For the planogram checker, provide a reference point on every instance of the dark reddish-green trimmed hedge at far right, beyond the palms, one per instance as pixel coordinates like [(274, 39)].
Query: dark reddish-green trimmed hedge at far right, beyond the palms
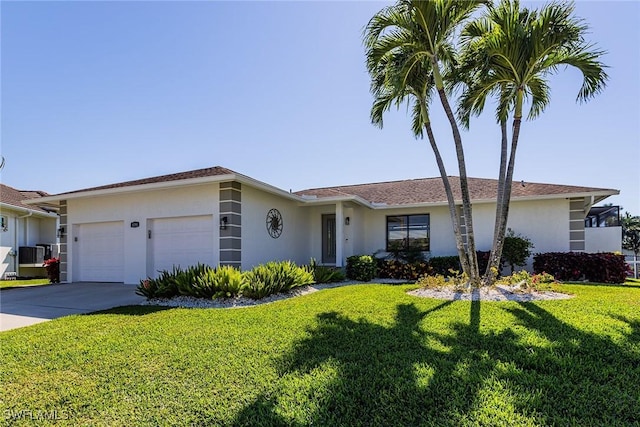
[(570, 266)]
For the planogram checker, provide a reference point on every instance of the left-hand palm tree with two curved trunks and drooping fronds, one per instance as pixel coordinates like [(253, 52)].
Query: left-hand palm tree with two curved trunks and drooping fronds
[(407, 46)]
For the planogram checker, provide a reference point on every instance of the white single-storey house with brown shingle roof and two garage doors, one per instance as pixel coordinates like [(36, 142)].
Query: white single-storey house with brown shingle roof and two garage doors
[(127, 231)]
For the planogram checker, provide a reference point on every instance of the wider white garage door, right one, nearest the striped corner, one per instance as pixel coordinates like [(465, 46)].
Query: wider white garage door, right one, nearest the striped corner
[(182, 241)]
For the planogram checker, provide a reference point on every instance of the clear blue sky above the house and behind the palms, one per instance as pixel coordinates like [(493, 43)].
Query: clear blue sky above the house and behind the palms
[(101, 92)]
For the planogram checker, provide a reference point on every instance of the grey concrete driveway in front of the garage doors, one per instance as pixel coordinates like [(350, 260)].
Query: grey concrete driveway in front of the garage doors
[(30, 305)]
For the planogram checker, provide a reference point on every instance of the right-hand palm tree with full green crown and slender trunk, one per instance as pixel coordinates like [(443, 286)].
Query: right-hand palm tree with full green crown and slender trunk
[(509, 53)]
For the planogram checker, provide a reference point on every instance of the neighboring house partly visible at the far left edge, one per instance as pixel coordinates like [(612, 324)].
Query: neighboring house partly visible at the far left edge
[(27, 233)]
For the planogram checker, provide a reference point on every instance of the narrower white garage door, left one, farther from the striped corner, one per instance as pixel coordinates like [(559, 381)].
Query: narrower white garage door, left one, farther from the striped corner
[(100, 252)]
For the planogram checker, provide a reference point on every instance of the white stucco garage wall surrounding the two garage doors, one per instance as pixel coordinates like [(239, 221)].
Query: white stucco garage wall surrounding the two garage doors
[(140, 207)]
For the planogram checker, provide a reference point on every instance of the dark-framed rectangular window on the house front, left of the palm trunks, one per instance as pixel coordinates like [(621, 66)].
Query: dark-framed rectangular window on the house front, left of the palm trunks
[(405, 231)]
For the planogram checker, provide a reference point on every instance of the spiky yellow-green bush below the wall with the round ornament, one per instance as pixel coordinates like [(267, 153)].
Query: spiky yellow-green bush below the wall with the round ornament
[(275, 277)]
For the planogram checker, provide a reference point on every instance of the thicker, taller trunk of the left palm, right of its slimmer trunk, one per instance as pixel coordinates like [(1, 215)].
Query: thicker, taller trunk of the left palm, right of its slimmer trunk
[(474, 275)]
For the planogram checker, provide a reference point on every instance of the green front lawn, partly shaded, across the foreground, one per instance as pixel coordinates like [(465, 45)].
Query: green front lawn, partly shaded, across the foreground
[(366, 355)]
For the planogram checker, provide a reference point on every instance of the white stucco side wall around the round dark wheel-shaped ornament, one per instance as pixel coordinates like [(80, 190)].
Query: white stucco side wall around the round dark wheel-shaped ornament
[(257, 245)]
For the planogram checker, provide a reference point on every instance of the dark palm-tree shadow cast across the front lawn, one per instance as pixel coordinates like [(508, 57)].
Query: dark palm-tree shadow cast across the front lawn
[(351, 372)]
